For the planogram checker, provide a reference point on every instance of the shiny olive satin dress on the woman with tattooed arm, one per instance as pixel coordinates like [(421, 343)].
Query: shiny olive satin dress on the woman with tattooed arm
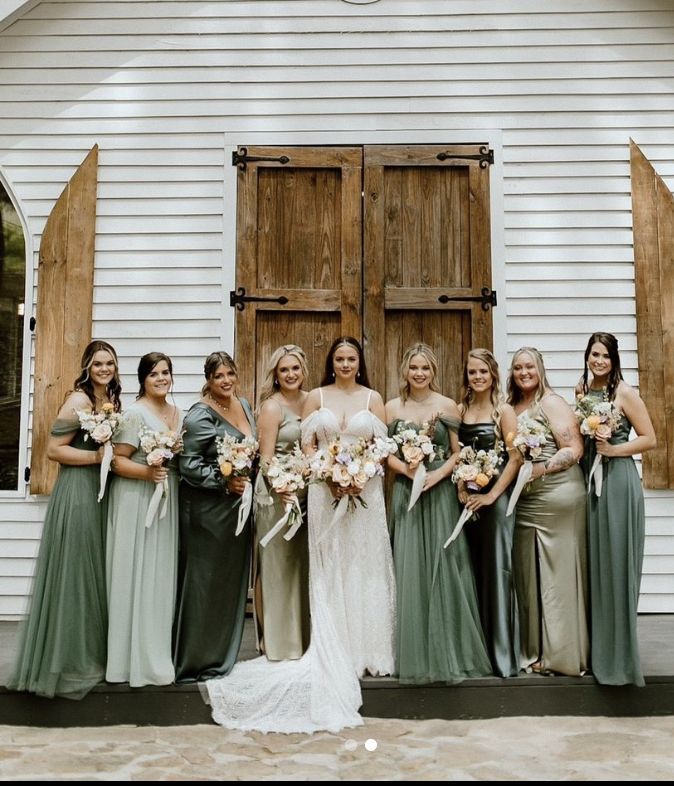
[(549, 564)]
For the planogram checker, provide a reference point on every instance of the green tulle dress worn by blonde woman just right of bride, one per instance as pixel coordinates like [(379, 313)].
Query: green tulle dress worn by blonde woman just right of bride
[(439, 636)]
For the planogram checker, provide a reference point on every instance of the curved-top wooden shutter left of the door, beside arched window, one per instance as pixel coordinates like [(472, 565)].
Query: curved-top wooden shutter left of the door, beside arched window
[(64, 308)]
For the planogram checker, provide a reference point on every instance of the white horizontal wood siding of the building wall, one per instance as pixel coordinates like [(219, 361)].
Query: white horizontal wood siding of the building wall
[(160, 86)]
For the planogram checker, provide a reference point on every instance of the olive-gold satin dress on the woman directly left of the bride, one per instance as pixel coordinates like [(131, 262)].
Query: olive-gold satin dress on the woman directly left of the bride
[(282, 566)]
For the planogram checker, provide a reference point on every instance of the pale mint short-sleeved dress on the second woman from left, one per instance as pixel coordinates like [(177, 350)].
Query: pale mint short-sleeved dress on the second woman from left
[(141, 567)]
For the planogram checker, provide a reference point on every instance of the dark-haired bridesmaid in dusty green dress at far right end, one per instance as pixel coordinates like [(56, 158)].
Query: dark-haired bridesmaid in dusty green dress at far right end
[(615, 520)]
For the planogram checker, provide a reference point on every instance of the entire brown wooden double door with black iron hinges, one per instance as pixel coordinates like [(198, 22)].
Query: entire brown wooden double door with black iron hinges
[(390, 244)]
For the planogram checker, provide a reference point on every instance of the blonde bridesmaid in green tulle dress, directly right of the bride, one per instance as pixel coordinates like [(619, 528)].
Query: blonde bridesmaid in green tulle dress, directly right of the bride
[(439, 635)]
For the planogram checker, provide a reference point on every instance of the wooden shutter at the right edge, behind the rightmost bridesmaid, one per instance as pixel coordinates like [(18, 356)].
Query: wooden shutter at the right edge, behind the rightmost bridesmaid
[(653, 227)]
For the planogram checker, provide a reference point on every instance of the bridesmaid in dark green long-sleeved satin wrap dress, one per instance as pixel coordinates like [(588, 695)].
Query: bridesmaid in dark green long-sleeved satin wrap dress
[(214, 562)]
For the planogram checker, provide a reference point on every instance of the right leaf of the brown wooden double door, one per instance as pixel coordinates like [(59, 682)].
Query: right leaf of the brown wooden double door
[(427, 238)]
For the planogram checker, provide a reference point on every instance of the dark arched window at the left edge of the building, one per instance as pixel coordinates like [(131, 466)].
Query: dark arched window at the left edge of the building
[(12, 289)]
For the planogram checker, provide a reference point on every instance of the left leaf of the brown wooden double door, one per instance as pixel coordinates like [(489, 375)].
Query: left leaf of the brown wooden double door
[(298, 237)]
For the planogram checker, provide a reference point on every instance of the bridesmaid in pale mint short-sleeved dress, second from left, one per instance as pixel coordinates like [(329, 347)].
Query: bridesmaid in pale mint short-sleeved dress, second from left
[(141, 561)]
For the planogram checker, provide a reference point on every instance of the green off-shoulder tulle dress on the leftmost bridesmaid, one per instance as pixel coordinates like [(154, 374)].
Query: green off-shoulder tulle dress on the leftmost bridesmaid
[(62, 646)]
